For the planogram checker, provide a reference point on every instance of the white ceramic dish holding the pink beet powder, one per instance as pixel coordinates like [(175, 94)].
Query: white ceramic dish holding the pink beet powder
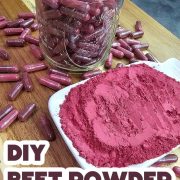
[(171, 67)]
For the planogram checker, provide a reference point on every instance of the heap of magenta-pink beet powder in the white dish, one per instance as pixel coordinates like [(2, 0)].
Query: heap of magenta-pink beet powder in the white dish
[(123, 117)]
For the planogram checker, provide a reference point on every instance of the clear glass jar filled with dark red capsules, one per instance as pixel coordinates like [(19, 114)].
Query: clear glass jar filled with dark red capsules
[(76, 35)]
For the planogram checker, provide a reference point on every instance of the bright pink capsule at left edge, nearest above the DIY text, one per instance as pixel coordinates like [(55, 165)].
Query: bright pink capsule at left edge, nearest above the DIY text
[(8, 120)]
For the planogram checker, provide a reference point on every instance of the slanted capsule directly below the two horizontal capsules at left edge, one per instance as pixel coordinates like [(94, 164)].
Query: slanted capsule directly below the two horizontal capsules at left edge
[(15, 91)]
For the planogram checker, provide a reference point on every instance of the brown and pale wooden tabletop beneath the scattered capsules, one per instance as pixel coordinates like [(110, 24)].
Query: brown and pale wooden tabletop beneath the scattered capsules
[(163, 45)]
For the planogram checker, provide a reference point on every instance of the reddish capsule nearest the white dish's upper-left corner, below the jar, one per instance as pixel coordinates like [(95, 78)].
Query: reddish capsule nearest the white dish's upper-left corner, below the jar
[(50, 83)]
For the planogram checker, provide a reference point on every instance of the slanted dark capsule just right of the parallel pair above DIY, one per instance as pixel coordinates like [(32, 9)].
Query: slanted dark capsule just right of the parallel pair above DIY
[(25, 113)]
